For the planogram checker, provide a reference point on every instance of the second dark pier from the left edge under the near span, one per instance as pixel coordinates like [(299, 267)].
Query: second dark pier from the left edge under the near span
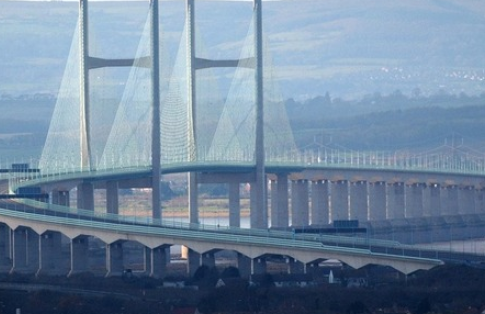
[(25, 251)]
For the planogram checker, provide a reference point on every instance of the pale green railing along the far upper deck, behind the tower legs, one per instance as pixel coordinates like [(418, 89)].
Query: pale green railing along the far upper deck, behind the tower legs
[(320, 157)]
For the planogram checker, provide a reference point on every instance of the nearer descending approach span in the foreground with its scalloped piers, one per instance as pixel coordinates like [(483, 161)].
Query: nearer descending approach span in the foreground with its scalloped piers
[(36, 234)]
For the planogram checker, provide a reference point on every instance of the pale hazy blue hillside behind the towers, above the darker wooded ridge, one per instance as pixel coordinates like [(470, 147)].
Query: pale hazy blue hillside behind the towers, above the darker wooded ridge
[(349, 48)]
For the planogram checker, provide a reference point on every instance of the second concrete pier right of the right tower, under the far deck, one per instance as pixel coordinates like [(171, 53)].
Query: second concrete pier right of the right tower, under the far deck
[(299, 203)]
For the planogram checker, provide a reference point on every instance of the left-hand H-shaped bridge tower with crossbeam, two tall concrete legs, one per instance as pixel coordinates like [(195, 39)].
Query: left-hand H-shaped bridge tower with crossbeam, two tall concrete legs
[(88, 62)]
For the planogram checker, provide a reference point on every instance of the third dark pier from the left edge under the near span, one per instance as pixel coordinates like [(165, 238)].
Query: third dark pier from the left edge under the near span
[(50, 250)]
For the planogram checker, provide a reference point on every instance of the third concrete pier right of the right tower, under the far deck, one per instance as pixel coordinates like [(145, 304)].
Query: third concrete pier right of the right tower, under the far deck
[(320, 212)]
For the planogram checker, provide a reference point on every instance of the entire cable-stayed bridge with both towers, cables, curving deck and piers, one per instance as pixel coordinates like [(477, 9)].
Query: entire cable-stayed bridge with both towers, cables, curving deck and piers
[(251, 144)]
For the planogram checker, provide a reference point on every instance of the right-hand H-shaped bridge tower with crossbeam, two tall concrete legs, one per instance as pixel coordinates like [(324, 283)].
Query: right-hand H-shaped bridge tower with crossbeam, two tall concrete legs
[(259, 216)]
